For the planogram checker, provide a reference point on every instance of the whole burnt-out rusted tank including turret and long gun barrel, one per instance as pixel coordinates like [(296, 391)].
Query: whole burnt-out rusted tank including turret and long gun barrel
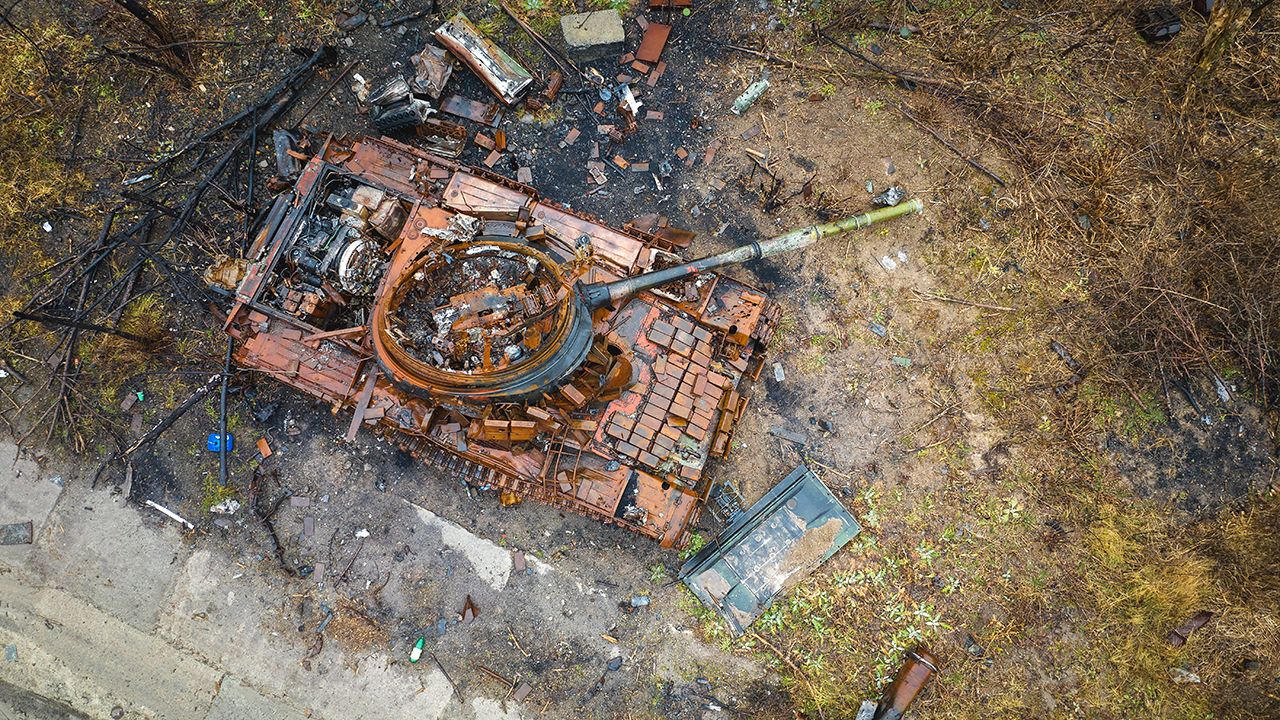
[(506, 339)]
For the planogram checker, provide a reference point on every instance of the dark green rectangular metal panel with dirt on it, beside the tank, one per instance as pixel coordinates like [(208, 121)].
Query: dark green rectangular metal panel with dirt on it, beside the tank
[(769, 549)]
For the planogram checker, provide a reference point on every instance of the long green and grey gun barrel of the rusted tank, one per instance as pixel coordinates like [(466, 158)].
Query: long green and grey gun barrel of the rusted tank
[(598, 295)]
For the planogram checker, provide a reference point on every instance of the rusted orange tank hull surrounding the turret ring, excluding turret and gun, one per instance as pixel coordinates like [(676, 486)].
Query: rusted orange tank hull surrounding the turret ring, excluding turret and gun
[(637, 461)]
